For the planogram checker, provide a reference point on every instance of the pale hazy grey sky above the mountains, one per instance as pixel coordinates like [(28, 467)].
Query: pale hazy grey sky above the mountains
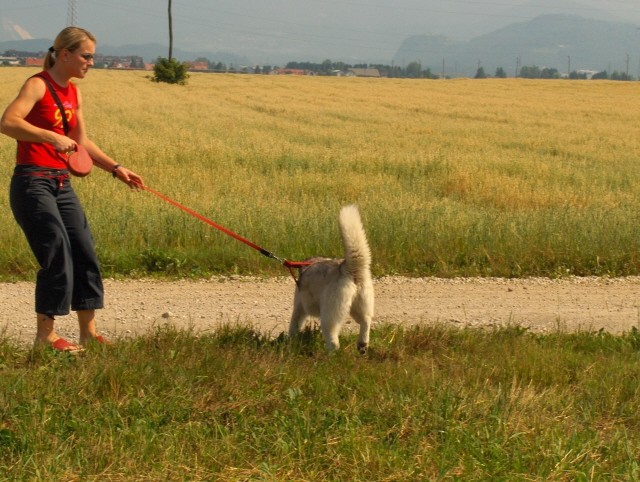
[(355, 28)]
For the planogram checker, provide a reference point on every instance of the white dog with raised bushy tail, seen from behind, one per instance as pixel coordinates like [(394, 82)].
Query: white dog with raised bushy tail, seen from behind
[(331, 289)]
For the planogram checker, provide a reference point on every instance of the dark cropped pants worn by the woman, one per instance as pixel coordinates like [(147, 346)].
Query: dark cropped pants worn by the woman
[(47, 209)]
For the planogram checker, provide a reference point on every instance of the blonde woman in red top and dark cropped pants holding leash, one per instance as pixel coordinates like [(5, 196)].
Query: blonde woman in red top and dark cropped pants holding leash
[(42, 199)]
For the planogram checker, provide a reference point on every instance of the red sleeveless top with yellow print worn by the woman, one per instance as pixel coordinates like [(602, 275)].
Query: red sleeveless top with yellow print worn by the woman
[(46, 115)]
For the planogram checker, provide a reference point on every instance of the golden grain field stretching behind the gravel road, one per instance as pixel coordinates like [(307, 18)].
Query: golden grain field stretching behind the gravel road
[(454, 178)]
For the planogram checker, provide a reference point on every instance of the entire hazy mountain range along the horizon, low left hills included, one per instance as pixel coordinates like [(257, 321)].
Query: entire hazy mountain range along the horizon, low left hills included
[(561, 41)]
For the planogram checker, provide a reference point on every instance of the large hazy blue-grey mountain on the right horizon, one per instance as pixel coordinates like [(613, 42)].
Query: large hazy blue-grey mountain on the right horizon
[(564, 42)]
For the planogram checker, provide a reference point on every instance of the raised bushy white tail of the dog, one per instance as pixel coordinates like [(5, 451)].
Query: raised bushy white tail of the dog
[(357, 254)]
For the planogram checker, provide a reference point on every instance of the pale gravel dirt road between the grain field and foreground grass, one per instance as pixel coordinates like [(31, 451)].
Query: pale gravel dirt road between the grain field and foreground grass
[(133, 307)]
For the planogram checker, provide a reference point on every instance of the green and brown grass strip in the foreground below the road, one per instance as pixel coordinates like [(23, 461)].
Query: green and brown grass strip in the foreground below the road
[(426, 403)]
